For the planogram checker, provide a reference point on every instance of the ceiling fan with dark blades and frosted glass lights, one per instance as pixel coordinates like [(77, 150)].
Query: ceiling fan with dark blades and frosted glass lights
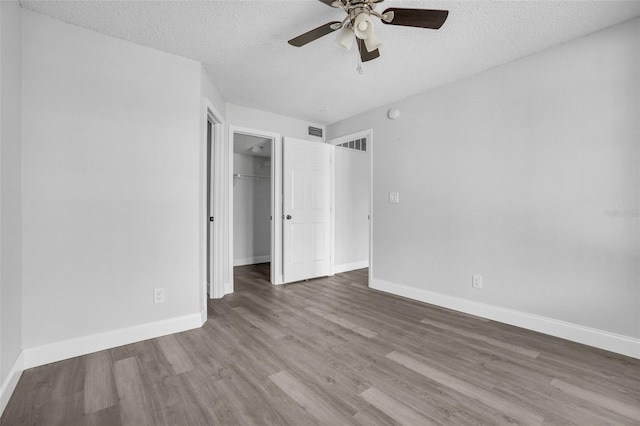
[(358, 26)]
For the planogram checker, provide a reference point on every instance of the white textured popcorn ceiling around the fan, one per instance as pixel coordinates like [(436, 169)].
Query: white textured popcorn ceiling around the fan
[(243, 45)]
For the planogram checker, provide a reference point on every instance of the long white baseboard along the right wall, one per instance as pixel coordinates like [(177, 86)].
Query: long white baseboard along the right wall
[(624, 345)]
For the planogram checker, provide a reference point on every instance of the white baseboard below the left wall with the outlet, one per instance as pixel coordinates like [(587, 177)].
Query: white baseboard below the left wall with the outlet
[(58, 351)]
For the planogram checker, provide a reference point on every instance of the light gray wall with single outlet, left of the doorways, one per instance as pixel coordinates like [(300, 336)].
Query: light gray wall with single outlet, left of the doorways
[(111, 195)]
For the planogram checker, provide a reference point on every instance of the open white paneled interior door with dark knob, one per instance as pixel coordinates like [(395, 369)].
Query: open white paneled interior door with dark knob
[(306, 209)]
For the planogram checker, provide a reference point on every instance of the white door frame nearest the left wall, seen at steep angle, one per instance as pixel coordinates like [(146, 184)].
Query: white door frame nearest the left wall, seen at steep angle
[(215, 261)]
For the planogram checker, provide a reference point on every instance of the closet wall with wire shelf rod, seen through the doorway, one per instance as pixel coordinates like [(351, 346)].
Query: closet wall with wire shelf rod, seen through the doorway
[(251, 210)]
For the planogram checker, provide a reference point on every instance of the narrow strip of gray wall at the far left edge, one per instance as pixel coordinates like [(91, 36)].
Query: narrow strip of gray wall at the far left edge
[(10, 189)]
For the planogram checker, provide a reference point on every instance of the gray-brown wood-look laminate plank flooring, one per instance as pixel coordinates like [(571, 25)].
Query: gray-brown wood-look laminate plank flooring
[(333, 352)]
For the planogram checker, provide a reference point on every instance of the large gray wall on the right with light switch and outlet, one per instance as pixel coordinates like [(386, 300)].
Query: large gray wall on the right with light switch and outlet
[(511, 174)]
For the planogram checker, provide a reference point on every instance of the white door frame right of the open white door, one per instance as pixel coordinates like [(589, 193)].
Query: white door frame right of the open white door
[(368, 134)]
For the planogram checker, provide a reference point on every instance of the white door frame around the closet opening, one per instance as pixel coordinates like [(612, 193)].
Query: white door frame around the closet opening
[(276, 200)]
